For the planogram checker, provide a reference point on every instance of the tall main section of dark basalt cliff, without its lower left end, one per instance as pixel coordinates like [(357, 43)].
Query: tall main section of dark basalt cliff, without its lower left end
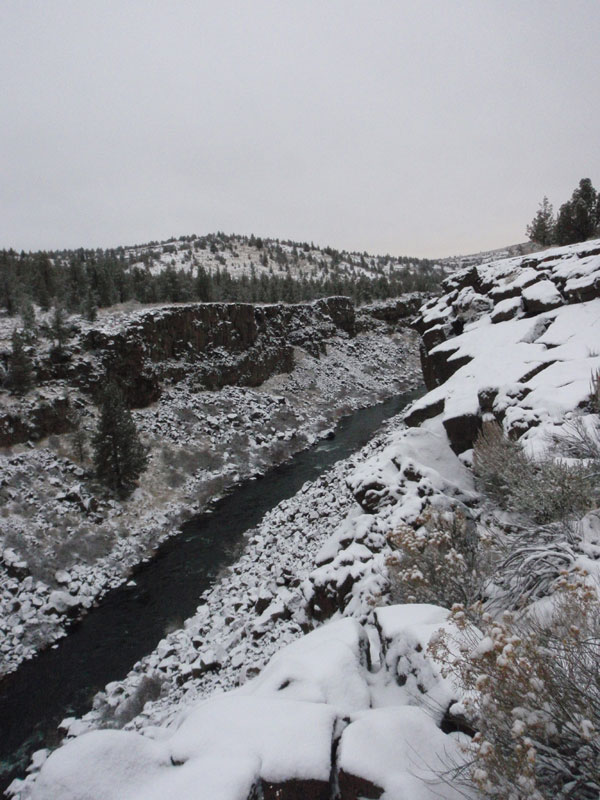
[(224, 343)]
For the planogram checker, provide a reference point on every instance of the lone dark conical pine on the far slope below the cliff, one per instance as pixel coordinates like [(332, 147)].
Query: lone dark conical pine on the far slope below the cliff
[(119, 455)]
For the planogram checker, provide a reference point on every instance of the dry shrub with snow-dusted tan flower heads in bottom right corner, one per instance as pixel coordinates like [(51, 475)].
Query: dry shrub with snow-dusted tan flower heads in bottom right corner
[(533, 694)]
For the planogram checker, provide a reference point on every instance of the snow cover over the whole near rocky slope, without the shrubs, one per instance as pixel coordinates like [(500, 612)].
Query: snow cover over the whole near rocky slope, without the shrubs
[(277, 693)]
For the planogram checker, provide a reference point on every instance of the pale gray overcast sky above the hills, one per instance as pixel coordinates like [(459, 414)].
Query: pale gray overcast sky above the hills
[(428, 128)]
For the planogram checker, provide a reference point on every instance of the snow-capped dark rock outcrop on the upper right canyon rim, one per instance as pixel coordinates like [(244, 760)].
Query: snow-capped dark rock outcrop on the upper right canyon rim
[(505, 307)]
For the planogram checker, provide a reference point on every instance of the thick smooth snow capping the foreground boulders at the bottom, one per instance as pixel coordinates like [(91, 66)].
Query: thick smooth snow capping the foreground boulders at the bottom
[(277, 728)]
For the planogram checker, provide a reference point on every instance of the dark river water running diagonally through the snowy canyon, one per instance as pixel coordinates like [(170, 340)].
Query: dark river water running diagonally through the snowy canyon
[(130, 621)]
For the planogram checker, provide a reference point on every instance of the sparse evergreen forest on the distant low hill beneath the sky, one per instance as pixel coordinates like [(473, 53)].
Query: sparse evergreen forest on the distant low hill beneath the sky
[(85, 280)]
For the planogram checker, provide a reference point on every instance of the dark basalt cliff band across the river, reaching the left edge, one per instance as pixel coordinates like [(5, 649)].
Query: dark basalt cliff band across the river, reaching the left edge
[(220, 343)]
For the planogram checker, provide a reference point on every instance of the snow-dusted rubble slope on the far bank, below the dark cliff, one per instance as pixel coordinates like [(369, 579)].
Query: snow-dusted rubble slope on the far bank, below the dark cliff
[(65, 546)]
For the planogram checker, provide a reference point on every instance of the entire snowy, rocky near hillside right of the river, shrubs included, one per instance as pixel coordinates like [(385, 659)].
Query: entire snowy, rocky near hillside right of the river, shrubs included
[(314, 667)]
